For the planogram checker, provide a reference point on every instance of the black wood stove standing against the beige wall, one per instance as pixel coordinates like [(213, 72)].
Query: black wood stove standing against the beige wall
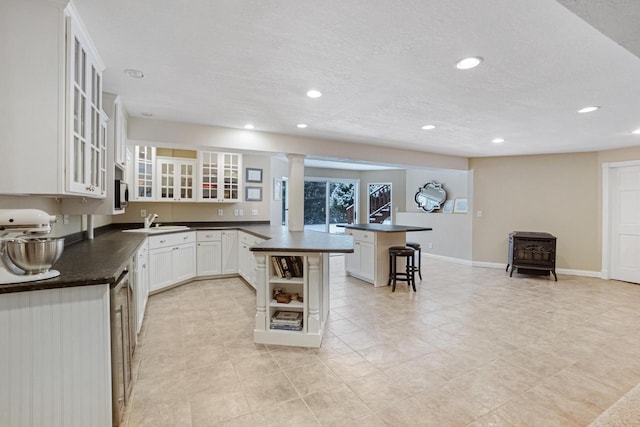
[(532, 253)]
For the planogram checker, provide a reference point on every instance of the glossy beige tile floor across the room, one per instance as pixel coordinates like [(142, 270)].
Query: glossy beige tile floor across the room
[(472, 347)]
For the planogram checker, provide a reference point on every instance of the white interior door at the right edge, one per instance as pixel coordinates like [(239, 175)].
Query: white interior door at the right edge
[(625, 224)]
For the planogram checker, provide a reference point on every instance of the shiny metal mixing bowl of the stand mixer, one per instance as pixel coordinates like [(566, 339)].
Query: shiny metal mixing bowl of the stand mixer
[(35, 254)]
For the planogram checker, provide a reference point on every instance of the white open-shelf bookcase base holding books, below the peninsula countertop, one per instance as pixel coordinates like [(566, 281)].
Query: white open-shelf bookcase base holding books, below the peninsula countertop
[(313, 287)]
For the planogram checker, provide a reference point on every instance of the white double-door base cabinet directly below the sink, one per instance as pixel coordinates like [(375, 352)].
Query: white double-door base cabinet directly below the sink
[(172, 259)]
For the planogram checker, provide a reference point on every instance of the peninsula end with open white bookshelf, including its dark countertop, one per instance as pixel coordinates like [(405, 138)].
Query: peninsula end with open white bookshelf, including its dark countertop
[(294, 264)]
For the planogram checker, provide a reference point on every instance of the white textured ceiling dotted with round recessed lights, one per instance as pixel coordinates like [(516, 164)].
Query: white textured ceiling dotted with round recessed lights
[(385, 68)]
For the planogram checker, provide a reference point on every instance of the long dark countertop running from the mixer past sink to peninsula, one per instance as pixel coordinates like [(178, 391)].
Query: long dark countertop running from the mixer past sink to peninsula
[(102, 260)]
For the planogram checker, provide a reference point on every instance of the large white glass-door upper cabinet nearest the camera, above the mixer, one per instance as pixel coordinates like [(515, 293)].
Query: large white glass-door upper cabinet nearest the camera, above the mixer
[(51, 118)]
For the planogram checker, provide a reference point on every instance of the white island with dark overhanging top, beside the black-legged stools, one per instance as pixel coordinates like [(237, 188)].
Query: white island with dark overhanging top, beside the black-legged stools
[(370, 258)]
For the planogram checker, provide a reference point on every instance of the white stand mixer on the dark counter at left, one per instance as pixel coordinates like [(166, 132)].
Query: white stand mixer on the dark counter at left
[(17, 225)]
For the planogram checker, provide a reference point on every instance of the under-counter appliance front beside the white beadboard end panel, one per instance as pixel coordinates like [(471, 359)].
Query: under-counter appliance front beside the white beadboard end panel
[(122, 344)]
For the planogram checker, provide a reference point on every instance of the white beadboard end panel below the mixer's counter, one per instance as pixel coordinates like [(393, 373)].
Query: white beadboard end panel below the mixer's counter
[(55, 357)]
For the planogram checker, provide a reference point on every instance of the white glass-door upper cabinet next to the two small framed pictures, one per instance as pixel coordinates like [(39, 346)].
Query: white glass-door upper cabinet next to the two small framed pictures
[(220, 177)]
